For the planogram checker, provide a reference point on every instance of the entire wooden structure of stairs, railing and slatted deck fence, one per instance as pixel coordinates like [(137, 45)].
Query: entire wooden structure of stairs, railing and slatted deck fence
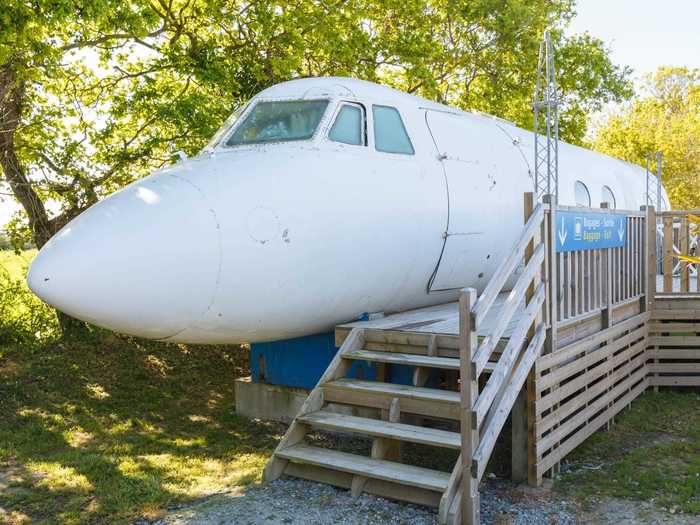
[(584, 340)]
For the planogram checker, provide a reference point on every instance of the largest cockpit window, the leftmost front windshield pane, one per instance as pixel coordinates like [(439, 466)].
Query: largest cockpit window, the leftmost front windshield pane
[(278, 121)]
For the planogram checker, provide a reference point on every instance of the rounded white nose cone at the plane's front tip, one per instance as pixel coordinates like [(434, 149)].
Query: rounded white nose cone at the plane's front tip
[(144, 261)]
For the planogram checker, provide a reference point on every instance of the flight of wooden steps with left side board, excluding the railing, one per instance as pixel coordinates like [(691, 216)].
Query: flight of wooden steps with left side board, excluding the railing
[(392, 414)]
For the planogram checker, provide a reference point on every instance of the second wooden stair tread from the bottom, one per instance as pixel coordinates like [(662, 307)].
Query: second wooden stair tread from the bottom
[(380, 428)]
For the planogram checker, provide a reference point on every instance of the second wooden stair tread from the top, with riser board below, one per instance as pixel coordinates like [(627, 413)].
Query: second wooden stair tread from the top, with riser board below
[(413, 399)]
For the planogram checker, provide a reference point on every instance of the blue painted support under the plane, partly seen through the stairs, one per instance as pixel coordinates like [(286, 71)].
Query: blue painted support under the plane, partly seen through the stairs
[(300, 362)]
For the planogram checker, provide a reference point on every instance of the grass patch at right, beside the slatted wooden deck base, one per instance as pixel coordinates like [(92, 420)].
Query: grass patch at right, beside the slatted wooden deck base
[(652, 453)]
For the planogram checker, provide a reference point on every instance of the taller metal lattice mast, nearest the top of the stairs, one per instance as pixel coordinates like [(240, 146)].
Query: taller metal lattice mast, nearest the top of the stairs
[(546, 107)]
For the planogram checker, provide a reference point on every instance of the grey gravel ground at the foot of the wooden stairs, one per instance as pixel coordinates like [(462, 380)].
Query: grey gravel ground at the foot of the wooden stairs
[(297, 502)]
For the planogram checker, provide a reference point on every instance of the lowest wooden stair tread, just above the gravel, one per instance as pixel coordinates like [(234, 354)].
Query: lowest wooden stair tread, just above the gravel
[(364, 466)]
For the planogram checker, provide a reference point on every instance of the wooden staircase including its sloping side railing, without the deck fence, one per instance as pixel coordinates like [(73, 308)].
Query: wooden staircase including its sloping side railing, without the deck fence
[(466, 418)]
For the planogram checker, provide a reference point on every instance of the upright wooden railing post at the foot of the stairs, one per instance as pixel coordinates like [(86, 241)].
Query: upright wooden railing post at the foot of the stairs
[(469, 390)]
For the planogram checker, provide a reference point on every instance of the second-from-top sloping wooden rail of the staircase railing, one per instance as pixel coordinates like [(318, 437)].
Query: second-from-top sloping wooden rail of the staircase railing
[(511, 303)]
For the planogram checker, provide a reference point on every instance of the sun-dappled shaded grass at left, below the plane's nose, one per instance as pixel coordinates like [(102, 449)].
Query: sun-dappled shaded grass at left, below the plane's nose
[(111, 430)]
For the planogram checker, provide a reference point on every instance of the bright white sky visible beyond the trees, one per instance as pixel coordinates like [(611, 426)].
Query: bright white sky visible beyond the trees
[(643, 34)]
